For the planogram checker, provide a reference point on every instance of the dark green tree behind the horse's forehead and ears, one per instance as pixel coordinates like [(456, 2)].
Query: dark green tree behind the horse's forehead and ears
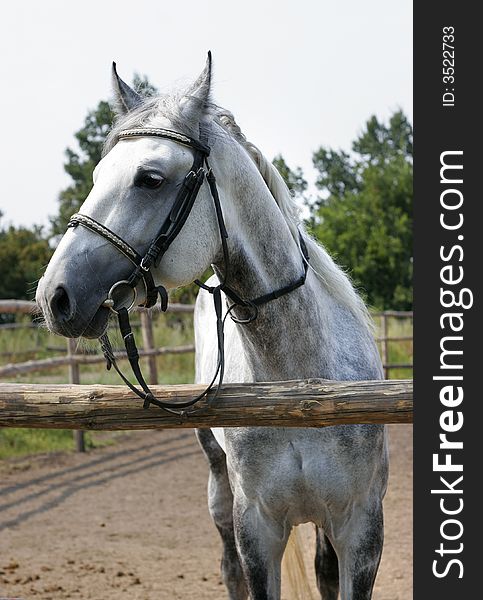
[(81, 163)]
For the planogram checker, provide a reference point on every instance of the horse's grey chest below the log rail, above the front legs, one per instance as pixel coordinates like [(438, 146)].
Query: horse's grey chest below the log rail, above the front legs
[(296, 474)]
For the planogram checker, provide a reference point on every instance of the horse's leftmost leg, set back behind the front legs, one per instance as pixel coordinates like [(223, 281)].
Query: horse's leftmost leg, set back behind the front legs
[(220, 504)]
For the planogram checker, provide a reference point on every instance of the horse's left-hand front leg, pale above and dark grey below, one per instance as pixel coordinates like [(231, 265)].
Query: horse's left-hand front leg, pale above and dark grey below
[(260, 543)]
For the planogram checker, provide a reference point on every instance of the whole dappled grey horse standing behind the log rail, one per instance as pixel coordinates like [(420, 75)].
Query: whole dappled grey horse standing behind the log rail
[(263, 481)]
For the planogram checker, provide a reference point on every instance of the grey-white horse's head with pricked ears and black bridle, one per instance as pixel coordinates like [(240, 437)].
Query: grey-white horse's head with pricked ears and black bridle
[(137, 188)]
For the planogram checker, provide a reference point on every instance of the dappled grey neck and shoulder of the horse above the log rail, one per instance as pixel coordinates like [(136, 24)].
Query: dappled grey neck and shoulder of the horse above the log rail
[(305, 333)]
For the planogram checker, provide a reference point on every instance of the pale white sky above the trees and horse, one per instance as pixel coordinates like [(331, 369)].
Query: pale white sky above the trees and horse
[(296, 74)]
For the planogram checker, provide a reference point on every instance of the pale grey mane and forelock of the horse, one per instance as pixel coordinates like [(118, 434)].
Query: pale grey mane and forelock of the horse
[(332, 276)]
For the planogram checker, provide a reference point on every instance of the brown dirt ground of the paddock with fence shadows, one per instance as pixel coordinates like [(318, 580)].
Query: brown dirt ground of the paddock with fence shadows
[(130, 521)]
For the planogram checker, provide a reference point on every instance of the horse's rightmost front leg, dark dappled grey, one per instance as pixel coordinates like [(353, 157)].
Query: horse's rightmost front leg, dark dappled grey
[(359, 550)]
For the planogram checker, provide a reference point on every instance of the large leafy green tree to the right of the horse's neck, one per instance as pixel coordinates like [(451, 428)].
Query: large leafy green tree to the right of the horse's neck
[(364, 214)]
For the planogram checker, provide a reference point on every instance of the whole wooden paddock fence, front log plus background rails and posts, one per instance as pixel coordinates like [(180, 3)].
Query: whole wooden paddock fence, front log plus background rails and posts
[(299, 403)]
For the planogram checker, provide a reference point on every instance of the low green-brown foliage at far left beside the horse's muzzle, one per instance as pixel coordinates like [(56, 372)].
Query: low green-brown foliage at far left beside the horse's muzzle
[(23, 254)]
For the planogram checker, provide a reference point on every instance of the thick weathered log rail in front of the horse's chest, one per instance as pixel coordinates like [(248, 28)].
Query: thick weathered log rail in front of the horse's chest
[(309, 403)]
